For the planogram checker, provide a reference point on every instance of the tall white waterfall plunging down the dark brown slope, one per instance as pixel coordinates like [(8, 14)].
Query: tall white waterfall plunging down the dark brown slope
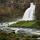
[(29, 13)]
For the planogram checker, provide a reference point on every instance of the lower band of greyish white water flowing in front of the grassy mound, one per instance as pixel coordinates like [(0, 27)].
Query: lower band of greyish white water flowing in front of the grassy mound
[(29, 31)]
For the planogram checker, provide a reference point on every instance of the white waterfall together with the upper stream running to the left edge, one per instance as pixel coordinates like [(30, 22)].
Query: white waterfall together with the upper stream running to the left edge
[(28, 15)]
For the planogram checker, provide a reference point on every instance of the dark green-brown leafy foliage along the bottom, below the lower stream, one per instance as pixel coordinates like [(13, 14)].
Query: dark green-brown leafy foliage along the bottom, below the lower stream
[(12, 36)]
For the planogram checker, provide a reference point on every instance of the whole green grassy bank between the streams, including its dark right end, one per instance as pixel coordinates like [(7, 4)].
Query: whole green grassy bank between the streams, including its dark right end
[(29, 24)]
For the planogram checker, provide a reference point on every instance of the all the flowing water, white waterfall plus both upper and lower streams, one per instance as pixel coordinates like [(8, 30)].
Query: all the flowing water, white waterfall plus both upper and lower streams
[(28, 15)]
